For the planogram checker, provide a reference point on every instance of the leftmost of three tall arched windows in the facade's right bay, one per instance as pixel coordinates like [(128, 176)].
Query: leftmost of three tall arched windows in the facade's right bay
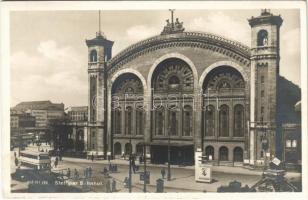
[(209, 121)]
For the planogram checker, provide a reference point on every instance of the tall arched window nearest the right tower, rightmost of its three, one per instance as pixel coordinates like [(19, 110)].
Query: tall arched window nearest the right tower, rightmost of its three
[(238, 121)]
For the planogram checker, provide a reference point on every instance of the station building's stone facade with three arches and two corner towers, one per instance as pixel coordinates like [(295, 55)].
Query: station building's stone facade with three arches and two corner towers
[(225, 91)]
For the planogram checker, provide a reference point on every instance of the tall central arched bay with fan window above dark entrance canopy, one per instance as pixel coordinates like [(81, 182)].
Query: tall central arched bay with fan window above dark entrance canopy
[(175, 77)]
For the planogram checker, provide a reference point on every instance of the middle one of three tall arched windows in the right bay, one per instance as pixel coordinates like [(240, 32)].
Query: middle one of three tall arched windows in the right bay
[(224, 121)]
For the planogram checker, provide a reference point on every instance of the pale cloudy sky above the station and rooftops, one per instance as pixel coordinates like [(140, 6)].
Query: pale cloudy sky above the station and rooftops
[(49, 54)]
